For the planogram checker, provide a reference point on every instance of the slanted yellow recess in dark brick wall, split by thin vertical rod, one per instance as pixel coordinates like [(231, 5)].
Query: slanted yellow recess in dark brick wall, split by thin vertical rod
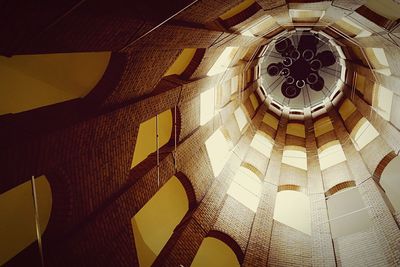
[(146, 140)]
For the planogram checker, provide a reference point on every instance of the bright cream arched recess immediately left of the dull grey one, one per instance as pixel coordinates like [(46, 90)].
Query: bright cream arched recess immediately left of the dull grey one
[(292, 208)]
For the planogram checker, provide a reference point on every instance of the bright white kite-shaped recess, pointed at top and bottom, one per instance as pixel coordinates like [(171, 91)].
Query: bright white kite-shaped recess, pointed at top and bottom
[(218, 150)]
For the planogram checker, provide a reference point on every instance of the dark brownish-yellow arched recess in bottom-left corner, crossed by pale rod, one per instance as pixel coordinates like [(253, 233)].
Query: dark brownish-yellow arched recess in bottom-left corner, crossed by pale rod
[(17, 221)]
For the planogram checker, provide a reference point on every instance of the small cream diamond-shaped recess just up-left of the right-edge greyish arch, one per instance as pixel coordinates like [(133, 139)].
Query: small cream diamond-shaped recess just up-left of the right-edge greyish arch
[(363, 134)]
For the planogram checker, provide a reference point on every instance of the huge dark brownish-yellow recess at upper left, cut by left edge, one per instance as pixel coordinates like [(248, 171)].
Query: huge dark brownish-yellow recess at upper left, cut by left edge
[(33, 81)]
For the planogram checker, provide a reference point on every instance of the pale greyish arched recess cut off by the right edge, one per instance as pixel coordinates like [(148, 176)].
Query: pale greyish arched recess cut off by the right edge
[(390, 182)]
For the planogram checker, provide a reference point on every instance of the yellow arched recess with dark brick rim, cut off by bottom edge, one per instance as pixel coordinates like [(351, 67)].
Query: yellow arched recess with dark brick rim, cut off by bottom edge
[(218, 249)]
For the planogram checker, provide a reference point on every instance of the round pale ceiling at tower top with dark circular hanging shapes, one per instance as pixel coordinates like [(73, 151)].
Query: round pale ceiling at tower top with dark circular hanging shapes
[(300, 69)]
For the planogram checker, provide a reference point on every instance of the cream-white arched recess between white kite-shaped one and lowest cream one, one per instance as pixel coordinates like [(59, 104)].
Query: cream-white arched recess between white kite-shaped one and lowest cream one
[(246, 188)]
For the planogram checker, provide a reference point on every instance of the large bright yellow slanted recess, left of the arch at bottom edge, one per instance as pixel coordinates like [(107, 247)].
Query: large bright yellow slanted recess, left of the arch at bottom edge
[(154, 224)]
